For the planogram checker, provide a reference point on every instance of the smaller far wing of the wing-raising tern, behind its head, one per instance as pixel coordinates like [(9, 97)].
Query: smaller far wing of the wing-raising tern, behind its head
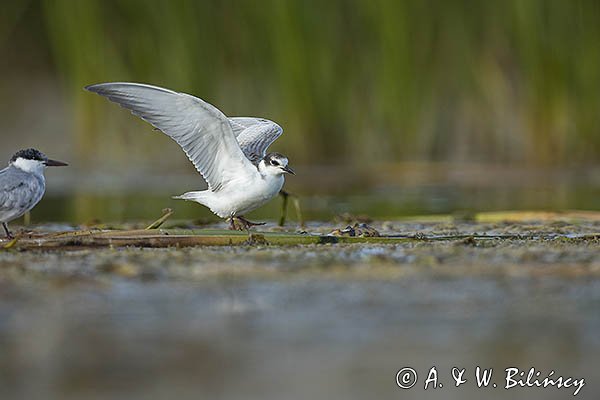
[(255, 135)]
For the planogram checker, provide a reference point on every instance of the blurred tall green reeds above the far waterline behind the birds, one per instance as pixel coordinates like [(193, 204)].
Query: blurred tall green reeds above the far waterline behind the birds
[(350, 80)]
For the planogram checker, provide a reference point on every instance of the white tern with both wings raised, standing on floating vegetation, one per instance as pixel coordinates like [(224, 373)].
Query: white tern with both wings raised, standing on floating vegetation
[(229, 153)]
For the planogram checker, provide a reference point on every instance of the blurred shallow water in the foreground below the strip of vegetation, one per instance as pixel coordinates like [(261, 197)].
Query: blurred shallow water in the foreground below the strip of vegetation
[(319, 321)]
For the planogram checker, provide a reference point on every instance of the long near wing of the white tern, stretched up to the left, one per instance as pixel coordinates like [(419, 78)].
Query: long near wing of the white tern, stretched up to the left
[(203, 132)]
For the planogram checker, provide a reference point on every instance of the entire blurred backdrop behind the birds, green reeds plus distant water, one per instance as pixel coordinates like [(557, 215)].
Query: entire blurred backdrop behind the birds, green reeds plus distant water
[(389, 107)]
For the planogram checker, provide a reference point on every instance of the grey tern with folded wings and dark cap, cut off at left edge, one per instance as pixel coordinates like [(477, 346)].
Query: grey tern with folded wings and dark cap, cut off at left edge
[(22, 184)]
